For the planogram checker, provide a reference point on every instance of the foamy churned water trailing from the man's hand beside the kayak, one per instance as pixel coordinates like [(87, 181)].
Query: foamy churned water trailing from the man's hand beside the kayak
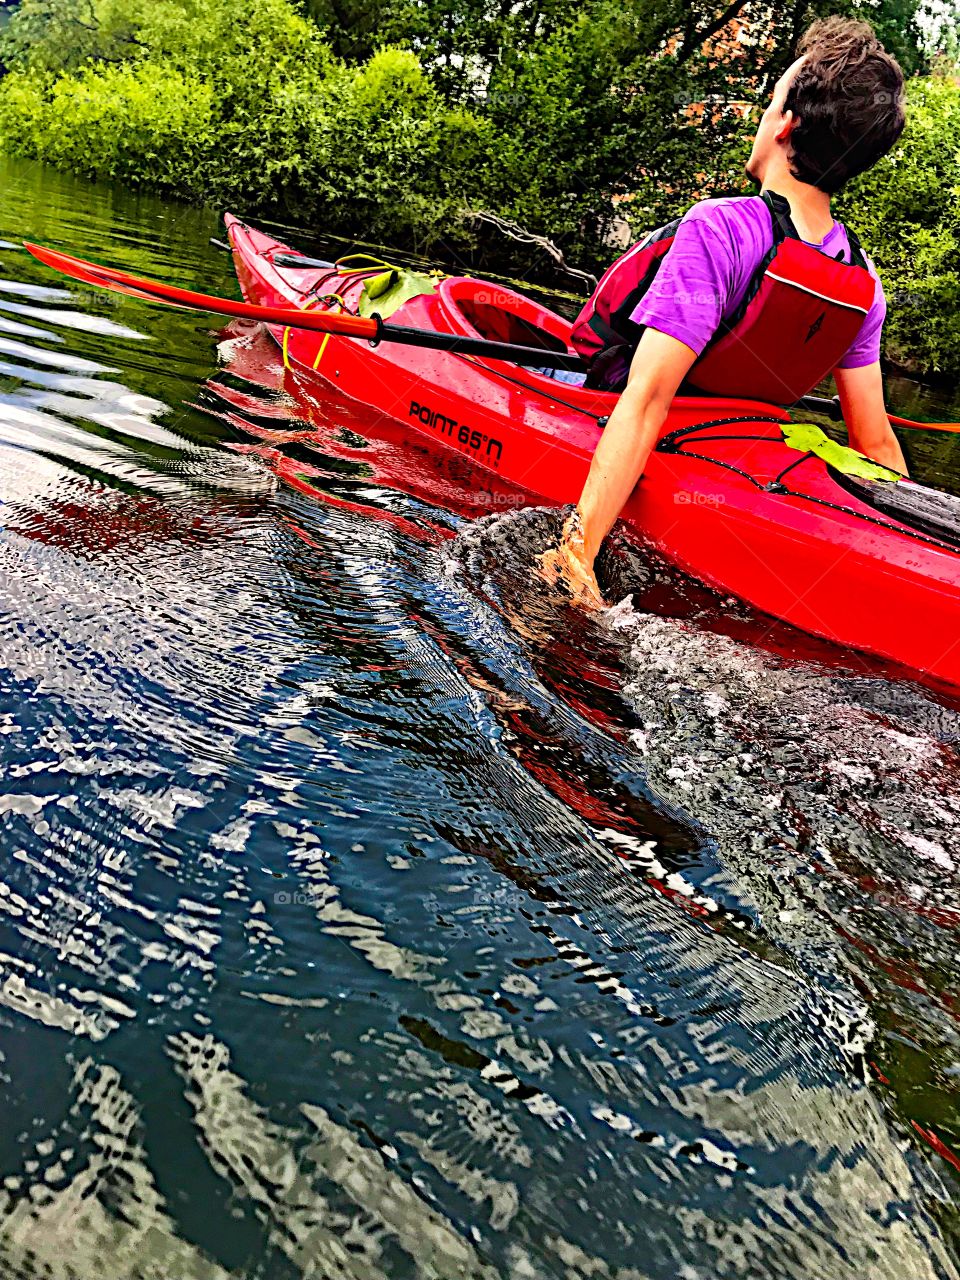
[(828, 804)]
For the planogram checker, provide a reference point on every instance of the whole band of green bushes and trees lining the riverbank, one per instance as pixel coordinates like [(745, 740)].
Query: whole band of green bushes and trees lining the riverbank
[(574, 118)]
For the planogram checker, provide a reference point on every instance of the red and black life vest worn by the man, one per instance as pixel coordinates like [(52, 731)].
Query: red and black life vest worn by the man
[(799, 317)]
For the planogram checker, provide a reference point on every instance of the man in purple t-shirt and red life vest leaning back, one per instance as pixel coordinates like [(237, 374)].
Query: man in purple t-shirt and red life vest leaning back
[(757, 298)]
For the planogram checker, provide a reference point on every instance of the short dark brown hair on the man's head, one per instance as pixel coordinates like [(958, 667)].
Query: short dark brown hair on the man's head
[(848, 98)]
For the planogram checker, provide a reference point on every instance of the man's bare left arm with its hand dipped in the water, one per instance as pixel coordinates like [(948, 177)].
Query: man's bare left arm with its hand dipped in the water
[(657, 371)]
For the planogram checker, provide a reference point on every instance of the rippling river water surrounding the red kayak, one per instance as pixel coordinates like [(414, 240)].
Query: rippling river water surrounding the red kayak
[(367, 912)]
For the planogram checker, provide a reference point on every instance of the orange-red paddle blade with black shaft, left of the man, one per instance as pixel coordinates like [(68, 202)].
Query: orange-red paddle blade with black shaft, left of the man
[(374, 330)]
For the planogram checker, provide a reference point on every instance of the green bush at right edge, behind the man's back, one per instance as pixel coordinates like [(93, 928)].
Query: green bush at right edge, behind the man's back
[(908, 213)]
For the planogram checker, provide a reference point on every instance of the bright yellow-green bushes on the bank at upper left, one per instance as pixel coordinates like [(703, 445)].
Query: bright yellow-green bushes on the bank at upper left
[(241, 107)]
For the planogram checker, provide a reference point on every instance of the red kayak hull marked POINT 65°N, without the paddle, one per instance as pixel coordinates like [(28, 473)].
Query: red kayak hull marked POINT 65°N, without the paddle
[(712, 500)]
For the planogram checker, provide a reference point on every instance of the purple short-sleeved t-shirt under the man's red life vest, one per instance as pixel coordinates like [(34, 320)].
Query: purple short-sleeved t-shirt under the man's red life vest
[(703, 280)]
